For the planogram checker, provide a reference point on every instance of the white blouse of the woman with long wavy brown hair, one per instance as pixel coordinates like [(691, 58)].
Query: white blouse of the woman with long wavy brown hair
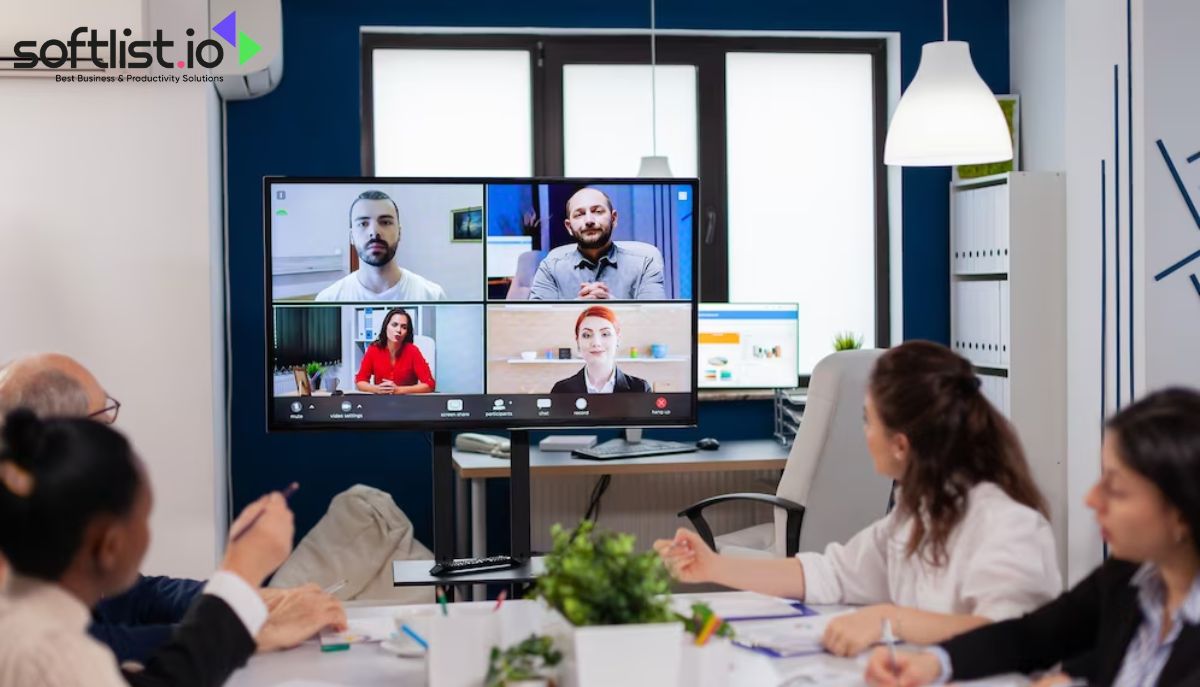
[(1000, 564)]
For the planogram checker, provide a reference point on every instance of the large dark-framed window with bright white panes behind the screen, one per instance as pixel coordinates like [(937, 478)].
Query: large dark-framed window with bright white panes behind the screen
[(787, 136)]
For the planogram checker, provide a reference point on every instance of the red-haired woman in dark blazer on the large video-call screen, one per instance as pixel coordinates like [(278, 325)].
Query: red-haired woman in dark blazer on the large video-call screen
[(598, 338)]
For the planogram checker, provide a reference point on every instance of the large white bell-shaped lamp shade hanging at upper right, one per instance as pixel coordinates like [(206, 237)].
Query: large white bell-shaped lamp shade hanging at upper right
[(949, 116)]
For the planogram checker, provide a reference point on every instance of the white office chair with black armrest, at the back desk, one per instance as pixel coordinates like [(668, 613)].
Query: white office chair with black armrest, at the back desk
[(830, 489)]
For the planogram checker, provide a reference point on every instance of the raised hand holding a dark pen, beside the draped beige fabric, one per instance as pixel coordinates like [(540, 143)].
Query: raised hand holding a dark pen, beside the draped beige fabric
[(265, 547)]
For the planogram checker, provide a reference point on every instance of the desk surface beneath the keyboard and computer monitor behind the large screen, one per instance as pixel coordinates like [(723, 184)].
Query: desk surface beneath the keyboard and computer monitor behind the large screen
[(733, 457)]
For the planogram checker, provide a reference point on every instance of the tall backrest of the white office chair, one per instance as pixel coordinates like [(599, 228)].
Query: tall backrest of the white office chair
[(830, 470)]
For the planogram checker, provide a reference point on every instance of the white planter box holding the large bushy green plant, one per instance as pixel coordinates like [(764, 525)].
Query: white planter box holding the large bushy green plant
[(628, 655)]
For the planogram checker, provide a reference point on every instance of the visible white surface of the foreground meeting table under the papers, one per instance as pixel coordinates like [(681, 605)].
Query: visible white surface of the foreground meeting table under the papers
[(369, 666)]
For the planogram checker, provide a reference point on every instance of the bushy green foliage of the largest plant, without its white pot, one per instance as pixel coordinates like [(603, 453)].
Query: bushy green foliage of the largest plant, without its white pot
[(593, 577)]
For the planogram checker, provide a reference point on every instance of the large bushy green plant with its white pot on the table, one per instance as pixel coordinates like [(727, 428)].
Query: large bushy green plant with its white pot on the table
[(619, 602)]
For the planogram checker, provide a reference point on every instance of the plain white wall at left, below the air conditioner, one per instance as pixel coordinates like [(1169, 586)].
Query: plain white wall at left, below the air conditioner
[(109, 223)]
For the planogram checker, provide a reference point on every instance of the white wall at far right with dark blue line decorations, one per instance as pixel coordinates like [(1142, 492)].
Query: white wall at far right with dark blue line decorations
[(1071, 47)]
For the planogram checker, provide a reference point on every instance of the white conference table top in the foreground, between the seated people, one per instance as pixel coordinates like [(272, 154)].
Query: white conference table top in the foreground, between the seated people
[(370, 666)]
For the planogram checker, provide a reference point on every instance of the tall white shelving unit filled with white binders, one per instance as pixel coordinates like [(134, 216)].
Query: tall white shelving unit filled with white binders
[(1009, 312)]
